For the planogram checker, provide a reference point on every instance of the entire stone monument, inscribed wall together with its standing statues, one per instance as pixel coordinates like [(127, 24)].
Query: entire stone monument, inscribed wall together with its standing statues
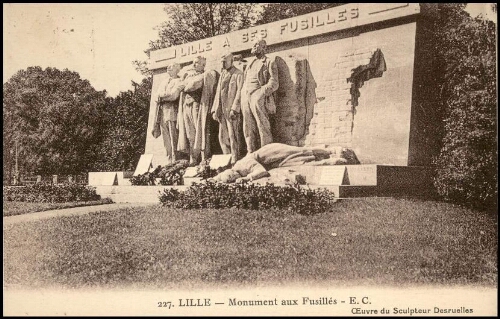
[(352, 79)]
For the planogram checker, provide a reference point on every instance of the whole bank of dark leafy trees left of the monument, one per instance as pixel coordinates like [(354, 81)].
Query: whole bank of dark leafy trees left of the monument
[(64, 126)]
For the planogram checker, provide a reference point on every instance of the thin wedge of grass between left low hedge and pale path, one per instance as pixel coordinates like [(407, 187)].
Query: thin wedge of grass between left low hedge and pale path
[(18, 208)]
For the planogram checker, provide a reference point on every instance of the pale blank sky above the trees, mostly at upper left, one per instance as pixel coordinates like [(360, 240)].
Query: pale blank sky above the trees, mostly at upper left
[(99, 41)]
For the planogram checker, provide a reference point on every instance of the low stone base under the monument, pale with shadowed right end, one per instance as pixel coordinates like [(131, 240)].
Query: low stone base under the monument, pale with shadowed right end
[(361, 181)]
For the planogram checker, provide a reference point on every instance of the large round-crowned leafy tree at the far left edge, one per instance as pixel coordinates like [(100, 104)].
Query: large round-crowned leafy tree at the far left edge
[(56, 118)]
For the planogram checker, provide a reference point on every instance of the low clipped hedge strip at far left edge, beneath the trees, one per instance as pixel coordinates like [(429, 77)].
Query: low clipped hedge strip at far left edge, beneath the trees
[(48, 193)]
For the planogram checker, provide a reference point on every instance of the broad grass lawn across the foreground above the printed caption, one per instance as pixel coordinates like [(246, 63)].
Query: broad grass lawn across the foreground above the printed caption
[(376, 241)]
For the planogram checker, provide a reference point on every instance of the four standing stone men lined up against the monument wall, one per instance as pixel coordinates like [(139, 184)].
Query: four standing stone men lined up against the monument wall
[(239, 101)]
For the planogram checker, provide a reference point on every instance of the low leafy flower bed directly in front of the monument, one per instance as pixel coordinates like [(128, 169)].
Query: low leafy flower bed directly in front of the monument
[(249, 196)]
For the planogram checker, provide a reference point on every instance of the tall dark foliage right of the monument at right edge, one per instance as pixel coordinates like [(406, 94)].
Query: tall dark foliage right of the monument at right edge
[(467, 164)]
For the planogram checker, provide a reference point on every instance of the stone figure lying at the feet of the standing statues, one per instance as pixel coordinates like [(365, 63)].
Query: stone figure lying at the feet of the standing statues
[(256, 165)]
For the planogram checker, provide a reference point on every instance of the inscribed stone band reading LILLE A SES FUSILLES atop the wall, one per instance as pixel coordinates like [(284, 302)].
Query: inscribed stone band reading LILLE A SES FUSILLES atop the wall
[(328, 20)]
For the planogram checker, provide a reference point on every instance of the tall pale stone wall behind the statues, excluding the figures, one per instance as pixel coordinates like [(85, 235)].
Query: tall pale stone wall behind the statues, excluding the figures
[(380, 114)]
